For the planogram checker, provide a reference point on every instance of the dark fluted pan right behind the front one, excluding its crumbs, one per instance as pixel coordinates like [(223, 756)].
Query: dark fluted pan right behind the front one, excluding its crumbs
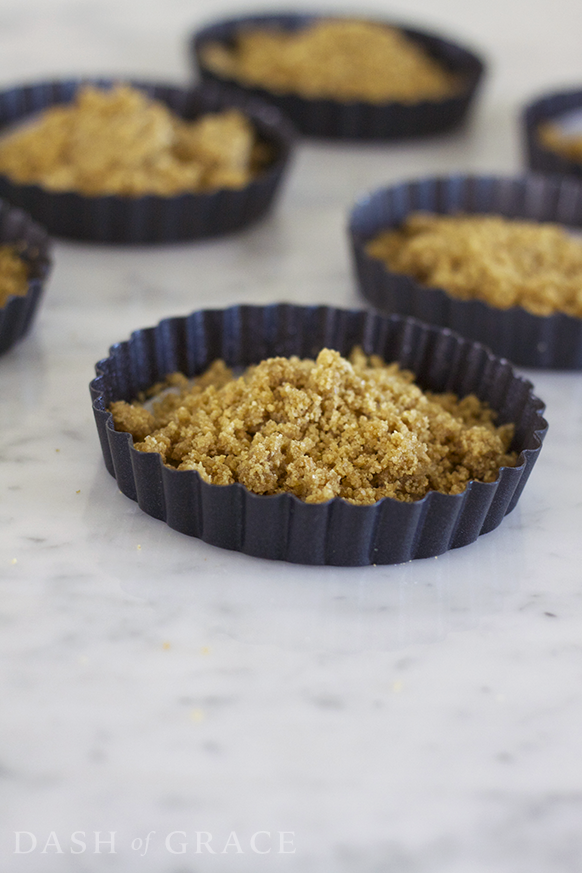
[(553, 341)]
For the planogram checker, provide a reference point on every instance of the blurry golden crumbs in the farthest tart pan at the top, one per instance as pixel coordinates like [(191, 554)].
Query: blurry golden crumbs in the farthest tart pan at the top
[(337, 59)]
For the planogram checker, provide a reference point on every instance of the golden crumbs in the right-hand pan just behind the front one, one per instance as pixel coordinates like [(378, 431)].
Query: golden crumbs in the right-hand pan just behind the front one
[(500, 261)]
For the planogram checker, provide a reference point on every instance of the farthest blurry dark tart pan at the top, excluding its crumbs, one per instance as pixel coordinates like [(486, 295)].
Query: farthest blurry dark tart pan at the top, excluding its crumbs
[(356, 119)]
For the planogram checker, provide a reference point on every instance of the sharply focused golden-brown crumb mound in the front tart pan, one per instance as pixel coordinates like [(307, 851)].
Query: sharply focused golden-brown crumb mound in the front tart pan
[(358, 429)]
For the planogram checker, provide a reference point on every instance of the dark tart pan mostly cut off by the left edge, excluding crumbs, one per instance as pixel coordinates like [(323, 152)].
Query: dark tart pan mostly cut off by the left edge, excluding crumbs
[(17, 315)]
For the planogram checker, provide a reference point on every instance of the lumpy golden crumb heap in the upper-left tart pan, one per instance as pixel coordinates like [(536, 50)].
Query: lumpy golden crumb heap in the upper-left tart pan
[(120, 141)]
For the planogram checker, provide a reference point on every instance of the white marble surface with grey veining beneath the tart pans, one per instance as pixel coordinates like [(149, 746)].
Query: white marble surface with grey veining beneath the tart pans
[(421, 718)]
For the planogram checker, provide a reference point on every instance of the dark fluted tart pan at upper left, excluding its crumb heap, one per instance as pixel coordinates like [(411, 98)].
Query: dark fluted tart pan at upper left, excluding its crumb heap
[(149, 218)]
